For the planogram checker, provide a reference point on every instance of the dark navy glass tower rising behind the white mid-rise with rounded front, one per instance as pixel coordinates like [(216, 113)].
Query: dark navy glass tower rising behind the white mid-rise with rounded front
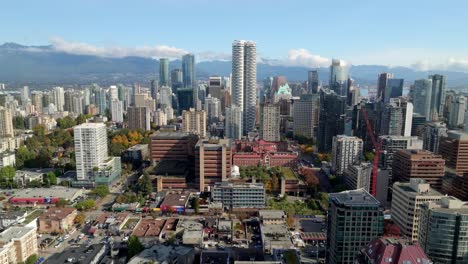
[(331, 119)]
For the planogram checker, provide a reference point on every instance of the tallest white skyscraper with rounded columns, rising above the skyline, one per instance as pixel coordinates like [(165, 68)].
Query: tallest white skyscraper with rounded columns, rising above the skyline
[(244, 78)]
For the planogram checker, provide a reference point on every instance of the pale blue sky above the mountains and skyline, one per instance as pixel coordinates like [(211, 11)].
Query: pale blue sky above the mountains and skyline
[(420, 34)]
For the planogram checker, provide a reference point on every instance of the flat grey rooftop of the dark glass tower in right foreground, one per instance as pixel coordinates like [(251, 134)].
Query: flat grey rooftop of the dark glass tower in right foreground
[(358, 197)]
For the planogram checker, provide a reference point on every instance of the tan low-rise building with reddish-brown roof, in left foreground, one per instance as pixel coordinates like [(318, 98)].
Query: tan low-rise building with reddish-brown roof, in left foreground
[(57, 220)]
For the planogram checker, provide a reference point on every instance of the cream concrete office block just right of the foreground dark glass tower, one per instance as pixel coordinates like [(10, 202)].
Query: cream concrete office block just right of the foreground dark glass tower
[(407, 199)]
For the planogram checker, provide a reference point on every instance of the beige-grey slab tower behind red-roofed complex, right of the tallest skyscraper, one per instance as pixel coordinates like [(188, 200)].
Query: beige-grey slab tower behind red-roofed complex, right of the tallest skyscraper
[(270, 122)]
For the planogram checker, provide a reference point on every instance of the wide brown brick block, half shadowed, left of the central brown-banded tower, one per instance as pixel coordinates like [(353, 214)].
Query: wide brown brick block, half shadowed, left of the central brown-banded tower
[(172, 146)]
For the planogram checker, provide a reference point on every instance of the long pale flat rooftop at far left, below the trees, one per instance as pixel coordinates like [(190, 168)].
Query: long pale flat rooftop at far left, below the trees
[(56, 192)]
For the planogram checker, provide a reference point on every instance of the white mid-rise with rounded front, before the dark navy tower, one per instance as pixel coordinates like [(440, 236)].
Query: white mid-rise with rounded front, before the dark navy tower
[(345, 151)]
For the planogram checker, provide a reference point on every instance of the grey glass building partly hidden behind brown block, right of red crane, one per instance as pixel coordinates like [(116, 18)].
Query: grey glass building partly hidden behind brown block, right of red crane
[(391, 144)]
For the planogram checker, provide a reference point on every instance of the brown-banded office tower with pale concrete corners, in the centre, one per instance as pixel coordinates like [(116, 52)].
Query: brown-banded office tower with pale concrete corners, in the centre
[(212, 162)]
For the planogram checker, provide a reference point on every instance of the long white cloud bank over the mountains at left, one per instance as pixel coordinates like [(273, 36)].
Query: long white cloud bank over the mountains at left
[(158, 51)]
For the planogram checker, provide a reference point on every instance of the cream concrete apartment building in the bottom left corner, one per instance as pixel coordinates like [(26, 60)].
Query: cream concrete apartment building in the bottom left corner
[(20, 242)]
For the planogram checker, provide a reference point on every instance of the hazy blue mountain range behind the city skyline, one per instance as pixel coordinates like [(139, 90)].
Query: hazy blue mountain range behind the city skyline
[(42, 65)]
